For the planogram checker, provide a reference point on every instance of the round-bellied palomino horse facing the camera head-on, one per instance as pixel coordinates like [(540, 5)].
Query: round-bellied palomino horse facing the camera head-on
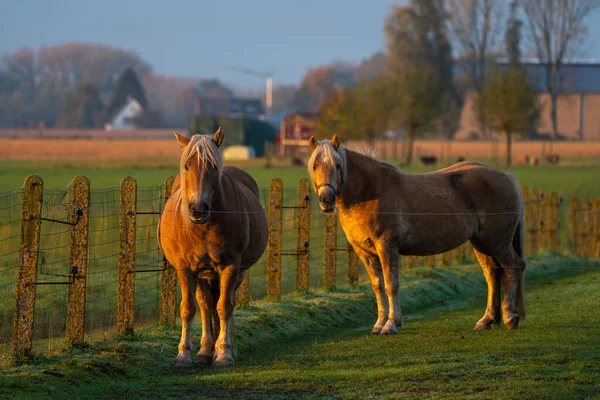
[(213, 228)]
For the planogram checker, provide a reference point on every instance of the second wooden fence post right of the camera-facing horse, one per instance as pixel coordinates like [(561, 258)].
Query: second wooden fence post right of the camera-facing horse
[(302, 243)]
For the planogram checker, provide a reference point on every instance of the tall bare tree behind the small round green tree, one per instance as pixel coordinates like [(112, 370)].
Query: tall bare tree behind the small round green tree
[(476, 27)]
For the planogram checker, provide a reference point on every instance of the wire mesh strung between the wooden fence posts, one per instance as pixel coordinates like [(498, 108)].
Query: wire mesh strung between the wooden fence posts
[(103, 255)]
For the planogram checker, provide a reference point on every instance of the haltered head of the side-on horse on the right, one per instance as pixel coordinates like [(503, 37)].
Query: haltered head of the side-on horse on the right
[(327, 169)]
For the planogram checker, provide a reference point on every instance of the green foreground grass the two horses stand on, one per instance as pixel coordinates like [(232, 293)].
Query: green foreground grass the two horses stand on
[(318, 347)]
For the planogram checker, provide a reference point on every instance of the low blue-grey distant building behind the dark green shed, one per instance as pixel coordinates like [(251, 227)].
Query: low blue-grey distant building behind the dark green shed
[(229, 107)]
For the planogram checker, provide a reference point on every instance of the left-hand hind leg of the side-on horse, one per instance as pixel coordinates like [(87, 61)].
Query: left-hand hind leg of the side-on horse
[(492, 270)]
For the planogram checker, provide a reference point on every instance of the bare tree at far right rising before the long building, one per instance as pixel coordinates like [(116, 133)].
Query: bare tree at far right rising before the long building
[(557, 31)]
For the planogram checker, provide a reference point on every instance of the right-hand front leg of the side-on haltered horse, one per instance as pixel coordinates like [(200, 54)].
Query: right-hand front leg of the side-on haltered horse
[(389, 256)]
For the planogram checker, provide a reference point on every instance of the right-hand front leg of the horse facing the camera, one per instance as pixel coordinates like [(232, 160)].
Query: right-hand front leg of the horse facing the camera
[(228, 282)]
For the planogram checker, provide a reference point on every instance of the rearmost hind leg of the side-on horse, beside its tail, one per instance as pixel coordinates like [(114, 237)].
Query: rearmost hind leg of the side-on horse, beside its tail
[(513, 271)]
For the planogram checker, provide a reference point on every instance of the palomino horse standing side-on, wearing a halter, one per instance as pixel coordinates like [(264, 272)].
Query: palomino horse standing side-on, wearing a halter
[(386, 213)]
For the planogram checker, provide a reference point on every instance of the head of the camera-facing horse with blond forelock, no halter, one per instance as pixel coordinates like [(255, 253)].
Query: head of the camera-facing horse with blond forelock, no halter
[(200, 170)]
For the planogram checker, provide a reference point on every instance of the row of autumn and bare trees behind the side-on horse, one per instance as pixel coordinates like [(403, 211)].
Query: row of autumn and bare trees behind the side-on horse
[(439, 52)]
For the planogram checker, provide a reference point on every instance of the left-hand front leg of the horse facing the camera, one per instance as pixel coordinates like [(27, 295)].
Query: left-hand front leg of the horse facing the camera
[(187, 310)]
